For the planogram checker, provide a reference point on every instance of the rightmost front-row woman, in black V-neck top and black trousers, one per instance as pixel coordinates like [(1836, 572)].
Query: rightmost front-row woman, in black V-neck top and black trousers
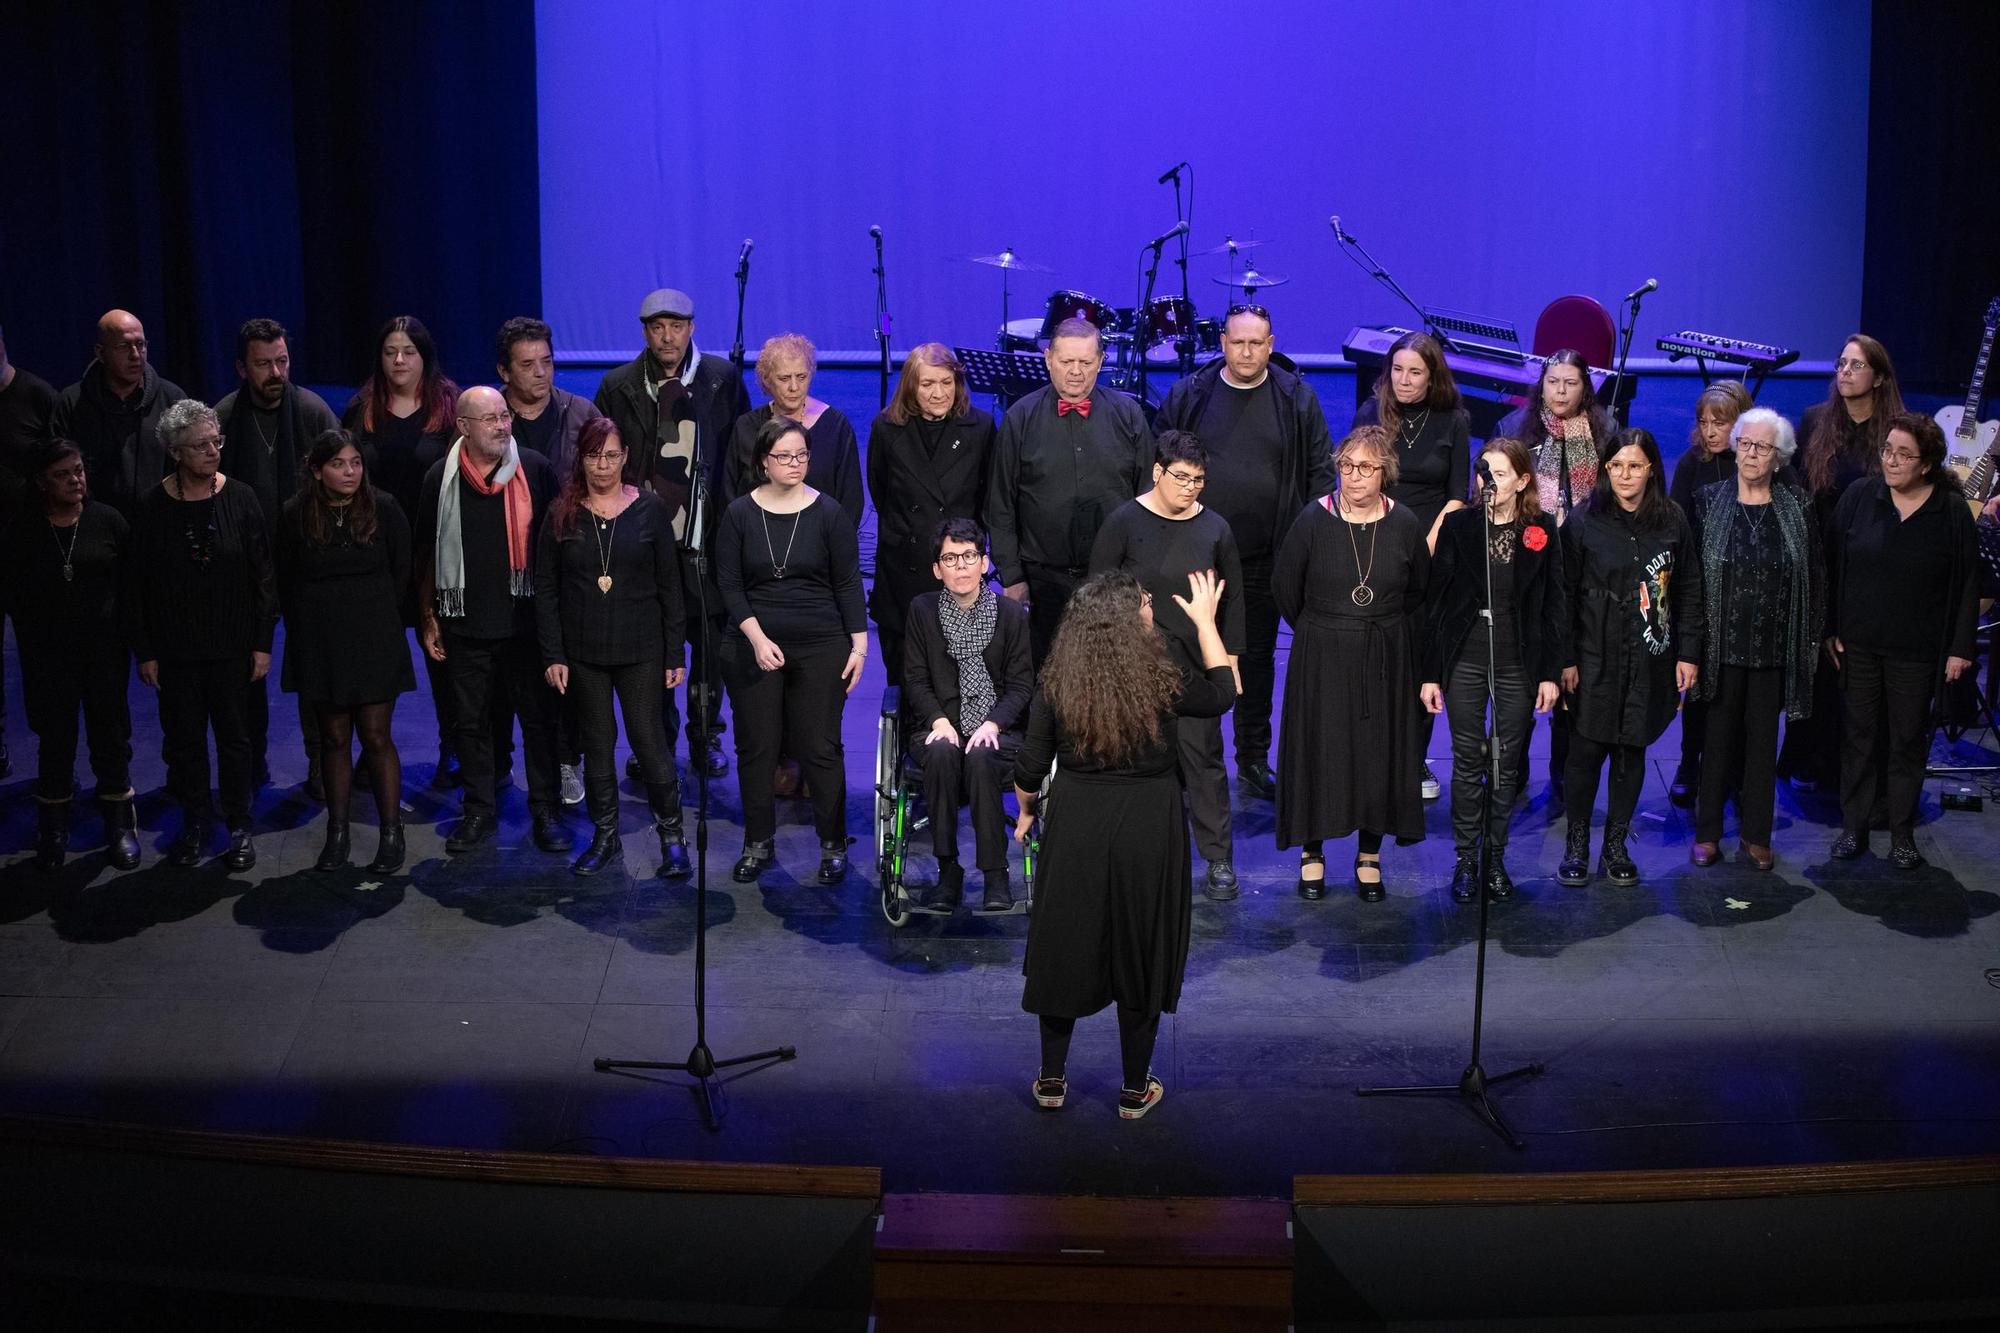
[(1901, 615)]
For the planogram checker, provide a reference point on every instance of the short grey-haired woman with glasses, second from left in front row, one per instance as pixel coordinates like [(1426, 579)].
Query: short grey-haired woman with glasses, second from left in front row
[(201, 617)]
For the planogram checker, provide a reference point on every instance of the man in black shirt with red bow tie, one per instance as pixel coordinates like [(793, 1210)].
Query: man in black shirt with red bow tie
[(1065, 459)]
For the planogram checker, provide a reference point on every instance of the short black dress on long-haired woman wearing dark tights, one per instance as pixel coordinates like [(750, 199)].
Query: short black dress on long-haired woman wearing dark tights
[(343, 607)]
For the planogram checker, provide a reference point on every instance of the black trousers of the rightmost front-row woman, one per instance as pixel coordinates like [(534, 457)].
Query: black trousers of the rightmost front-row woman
[(1885, 738)]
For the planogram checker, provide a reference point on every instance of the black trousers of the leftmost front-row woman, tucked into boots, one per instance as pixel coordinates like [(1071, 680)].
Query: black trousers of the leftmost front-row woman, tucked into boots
[(55, 686)]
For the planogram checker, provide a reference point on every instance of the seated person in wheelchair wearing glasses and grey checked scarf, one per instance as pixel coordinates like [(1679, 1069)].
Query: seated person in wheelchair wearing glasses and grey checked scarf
[(965, 698)]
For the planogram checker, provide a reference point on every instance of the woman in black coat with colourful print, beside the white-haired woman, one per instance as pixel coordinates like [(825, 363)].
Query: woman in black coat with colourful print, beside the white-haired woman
[(1635, 597)]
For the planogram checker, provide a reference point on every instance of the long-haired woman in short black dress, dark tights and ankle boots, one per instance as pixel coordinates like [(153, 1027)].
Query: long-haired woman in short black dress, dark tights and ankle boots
[(343, 579)]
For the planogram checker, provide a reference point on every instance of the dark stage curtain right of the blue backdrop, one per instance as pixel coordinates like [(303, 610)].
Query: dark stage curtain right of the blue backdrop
[(1931, 259)]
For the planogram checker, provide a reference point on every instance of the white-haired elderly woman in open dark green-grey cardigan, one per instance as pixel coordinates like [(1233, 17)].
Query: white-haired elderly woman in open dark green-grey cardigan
[(1765, 601)]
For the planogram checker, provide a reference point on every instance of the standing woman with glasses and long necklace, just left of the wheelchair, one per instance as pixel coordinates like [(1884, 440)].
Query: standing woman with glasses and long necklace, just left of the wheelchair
[(797, 641)]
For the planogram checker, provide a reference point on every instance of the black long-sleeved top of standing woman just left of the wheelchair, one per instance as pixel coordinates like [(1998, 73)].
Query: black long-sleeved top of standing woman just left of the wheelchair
[(799, 575)]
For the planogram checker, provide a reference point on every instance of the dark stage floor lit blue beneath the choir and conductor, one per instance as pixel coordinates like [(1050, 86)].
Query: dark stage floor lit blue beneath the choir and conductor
[(1705, 1018)]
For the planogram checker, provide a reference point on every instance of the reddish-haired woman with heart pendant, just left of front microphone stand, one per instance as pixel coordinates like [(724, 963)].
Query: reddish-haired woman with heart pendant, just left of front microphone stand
[(611, 621)]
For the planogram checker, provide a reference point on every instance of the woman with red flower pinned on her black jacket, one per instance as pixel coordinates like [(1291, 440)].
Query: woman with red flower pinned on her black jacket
[(1529, 621)]
